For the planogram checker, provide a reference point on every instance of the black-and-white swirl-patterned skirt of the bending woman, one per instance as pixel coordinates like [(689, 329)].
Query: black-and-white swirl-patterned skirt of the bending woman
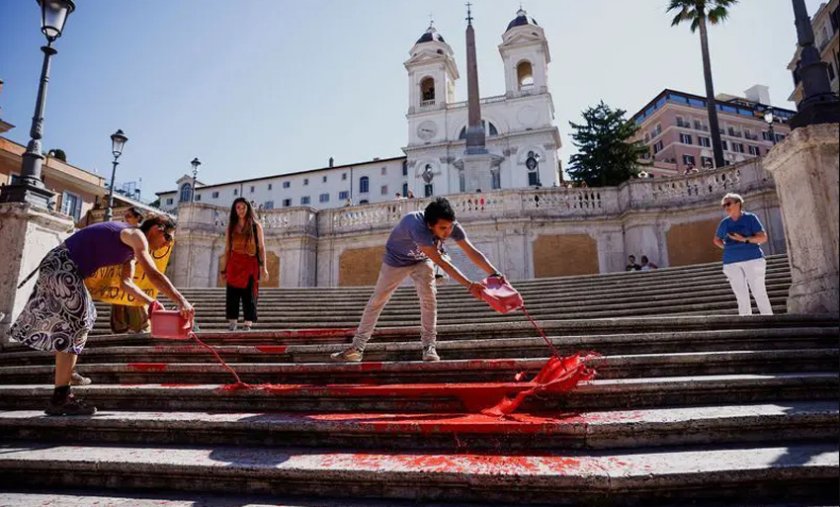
[(60, 312)]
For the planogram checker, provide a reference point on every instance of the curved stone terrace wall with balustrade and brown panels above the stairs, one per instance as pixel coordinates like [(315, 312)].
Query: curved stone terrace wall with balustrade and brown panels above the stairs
[(526, 233)]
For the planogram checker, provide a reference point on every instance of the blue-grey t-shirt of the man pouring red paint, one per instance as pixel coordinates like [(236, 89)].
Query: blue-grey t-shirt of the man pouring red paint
[(403, 246)]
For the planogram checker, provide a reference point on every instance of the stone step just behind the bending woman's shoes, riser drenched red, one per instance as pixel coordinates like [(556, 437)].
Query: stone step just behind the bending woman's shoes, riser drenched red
[(451, 397)]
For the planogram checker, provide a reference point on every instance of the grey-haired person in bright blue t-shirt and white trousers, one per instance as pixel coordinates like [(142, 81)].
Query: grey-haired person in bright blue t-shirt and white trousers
[(739, 235)]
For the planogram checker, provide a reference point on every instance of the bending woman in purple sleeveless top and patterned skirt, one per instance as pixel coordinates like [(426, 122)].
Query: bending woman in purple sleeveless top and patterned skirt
[(60, 312)]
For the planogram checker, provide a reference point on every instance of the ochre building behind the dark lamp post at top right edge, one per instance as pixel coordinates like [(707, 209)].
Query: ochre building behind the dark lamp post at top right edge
[(826, 25)]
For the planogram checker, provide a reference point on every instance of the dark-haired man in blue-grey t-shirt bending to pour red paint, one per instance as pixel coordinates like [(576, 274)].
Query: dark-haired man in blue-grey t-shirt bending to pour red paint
[(413, 248)]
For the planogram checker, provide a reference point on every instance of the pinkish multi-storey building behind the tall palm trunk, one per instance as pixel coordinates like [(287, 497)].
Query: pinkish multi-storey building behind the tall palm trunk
[(675, 128)]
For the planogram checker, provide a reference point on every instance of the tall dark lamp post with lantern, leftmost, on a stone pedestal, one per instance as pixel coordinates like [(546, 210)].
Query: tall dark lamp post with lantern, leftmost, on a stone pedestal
[(30, 187)]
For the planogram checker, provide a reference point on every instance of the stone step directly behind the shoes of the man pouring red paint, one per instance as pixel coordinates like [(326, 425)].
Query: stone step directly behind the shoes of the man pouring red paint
[(394, 346)]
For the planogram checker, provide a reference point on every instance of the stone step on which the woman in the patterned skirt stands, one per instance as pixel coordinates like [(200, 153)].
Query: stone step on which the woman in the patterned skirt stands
[(619, 429)]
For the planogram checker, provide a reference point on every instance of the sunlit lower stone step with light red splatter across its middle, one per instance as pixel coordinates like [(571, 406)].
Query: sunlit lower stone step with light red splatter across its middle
[(793, 471)]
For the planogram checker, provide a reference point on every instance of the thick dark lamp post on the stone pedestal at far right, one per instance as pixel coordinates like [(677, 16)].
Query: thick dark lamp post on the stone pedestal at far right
[(819, 104)]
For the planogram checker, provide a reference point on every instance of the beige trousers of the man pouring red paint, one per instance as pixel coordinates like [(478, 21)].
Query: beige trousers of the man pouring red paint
[(423, 274)]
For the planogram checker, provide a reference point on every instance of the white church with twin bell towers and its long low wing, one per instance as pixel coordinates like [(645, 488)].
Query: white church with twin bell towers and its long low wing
[(519, 128)]
